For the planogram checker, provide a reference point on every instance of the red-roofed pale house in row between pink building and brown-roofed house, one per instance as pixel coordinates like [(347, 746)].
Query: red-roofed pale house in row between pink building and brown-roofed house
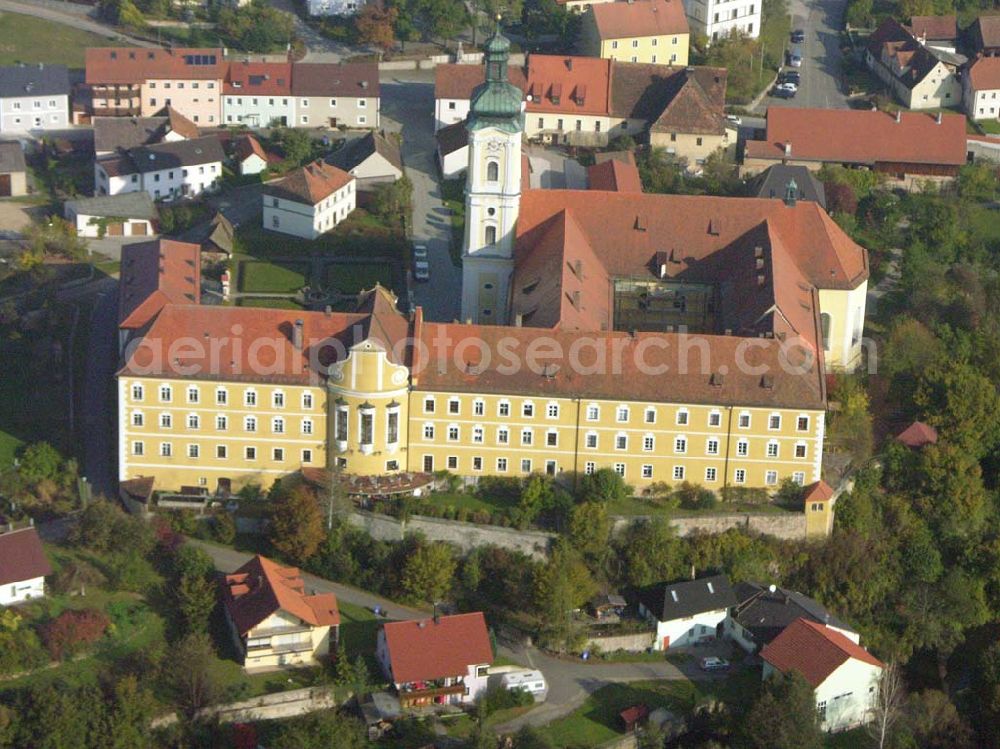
[(258, 94)]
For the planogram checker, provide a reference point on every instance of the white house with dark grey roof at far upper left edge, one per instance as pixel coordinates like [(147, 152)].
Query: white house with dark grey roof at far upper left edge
[(33, 97)]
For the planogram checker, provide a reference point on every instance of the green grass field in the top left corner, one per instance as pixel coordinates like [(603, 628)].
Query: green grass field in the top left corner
[(28, 39)]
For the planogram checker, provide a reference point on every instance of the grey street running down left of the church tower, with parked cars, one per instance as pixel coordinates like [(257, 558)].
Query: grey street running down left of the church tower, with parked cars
[(407, 107)]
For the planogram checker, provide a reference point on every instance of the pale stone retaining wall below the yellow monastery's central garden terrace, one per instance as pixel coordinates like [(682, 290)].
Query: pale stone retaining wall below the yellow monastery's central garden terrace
[(464, 535)]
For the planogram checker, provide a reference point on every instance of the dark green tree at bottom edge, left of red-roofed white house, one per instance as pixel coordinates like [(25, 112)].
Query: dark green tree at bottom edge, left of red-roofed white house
[(783, 716)]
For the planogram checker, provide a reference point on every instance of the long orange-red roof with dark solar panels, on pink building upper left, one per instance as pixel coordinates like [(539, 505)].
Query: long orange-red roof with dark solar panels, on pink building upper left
[(131, 65)]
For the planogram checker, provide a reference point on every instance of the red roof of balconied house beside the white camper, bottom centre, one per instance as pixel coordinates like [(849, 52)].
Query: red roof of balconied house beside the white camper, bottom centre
[(422, 650)]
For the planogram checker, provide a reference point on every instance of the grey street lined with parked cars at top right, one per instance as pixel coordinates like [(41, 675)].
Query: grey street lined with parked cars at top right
[(821, 58)]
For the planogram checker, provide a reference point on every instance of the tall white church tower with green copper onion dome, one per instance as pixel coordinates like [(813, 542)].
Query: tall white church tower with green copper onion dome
[(492, 189)]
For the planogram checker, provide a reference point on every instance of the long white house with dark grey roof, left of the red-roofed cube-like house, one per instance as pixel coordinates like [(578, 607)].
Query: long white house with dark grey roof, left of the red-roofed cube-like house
[(170, 170)]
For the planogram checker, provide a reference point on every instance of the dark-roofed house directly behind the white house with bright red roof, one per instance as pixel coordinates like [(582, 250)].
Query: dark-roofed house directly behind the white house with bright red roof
[(763, 612)]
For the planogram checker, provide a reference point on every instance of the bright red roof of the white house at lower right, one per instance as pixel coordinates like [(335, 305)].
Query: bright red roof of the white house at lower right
[(814, 650)]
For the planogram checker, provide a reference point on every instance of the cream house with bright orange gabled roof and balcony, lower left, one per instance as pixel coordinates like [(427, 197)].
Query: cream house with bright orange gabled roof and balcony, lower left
[(275, 623)]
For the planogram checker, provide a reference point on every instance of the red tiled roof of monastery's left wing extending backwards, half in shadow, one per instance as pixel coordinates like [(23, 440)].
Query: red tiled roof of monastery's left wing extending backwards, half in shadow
[(154, 274)]
